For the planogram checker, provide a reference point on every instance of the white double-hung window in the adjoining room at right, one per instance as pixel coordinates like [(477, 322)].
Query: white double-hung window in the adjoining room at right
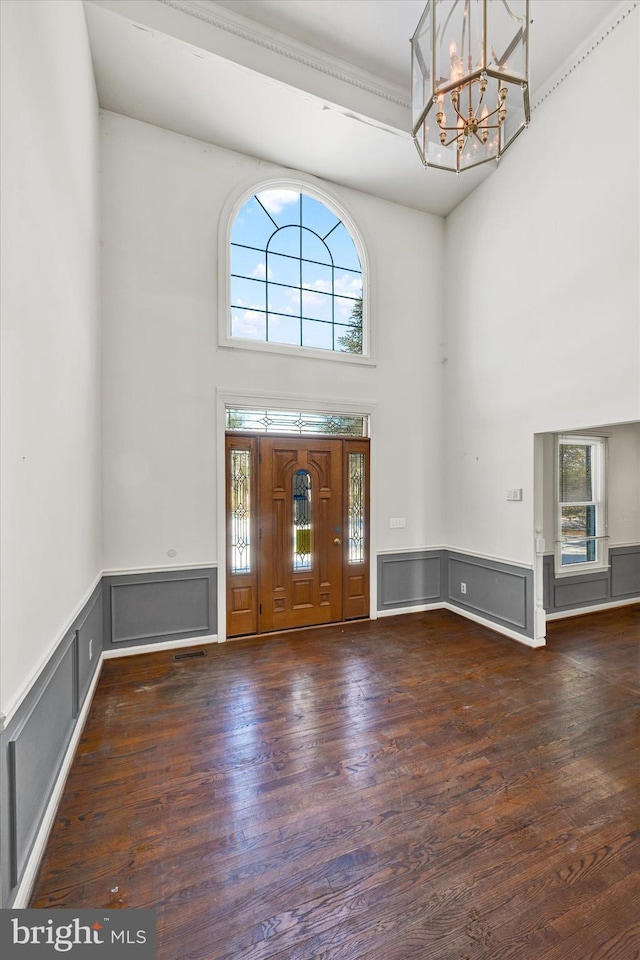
[(581, 523)]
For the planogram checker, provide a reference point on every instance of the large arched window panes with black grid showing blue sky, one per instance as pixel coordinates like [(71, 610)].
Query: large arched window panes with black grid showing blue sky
[(296, 277)]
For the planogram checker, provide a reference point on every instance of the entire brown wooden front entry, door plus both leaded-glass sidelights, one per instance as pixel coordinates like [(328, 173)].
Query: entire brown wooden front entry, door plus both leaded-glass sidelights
[(297, 532)]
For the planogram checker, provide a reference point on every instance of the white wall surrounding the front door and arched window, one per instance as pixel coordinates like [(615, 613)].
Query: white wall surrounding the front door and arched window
[(163, 195)]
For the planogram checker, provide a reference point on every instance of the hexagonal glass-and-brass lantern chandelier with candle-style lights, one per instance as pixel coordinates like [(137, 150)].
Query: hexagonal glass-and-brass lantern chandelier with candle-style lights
[(469, 80)]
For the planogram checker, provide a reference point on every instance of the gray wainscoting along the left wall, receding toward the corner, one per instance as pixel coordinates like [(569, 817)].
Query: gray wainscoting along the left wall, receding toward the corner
[(35, 741)]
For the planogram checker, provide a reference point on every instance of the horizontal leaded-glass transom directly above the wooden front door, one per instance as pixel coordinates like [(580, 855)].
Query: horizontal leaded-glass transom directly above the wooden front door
[(288, 421)]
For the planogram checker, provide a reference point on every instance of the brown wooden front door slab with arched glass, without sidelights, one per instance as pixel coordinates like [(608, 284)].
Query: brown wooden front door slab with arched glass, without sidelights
[(301, 566)]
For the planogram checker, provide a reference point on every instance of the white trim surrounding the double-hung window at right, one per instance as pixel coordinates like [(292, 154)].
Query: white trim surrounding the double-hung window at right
[(602, 543)]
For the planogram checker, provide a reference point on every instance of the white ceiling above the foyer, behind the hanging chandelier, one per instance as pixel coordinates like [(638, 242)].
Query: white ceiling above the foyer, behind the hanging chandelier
[(320, 86)]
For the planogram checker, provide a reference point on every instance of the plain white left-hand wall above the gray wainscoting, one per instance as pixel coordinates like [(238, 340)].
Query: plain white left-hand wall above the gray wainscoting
[(50, 335)]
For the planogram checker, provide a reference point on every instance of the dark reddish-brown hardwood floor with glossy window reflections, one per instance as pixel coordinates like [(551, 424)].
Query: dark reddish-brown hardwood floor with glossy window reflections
[(414, 787)]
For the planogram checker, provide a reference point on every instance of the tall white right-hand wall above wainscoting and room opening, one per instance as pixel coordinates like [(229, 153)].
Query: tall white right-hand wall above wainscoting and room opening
[(543, 292)]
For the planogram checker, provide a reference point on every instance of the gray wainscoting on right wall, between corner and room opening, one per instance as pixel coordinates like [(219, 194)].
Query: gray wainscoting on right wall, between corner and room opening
[(498, 591)]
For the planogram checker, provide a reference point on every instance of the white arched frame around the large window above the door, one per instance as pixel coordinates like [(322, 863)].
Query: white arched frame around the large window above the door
[(229, 214)]
